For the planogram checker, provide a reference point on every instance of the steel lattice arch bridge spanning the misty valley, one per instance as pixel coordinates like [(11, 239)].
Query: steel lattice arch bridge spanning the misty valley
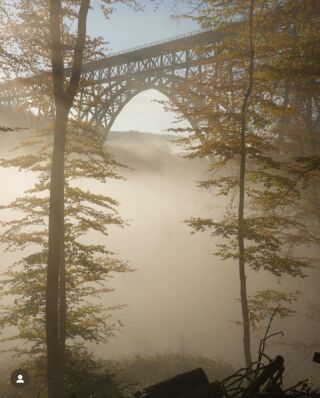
[(110, 83)]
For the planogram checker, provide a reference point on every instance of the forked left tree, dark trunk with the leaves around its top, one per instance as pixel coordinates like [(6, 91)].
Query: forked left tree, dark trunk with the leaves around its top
[(45, 39)]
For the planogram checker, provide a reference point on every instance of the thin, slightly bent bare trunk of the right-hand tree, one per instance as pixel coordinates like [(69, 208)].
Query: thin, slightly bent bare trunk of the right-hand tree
[(241, 221)]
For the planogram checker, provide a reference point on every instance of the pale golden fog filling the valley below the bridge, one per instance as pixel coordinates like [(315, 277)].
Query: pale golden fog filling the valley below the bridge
[(181, 297)]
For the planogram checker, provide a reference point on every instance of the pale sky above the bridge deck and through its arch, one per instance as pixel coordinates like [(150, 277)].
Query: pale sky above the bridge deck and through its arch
[(126, 29)]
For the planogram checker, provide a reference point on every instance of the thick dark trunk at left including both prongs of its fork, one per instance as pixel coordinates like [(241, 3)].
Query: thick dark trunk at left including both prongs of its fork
[(56, 310)]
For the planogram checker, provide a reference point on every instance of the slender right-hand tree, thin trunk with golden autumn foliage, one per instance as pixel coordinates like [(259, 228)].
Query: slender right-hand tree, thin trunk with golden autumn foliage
[(242, 107)]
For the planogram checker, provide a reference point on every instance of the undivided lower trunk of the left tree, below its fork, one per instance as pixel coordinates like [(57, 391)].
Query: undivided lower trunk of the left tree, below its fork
[(56, 233)]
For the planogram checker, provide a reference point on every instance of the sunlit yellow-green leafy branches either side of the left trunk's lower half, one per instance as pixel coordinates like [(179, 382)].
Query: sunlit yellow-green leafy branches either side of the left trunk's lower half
[(88, 265)]
